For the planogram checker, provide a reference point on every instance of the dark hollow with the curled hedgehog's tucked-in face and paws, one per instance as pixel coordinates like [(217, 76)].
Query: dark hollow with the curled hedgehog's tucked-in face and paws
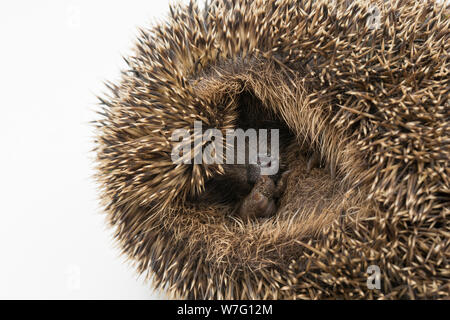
[(240, 186)]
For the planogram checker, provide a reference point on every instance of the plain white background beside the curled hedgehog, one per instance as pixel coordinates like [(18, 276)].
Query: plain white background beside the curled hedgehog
[(54, 57)]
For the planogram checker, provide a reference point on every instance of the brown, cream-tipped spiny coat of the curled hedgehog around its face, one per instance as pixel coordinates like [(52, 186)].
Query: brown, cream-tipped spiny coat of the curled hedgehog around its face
[(372, 101)]
